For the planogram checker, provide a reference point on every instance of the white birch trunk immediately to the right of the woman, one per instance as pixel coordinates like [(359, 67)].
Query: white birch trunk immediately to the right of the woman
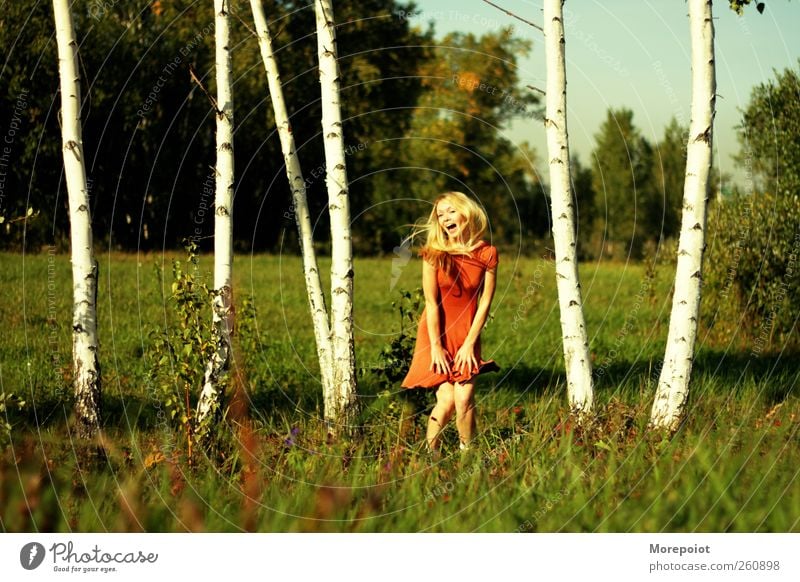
[(573, 329)]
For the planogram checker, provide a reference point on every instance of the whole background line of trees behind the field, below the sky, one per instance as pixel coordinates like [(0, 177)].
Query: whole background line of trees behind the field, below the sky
[(423, 114)]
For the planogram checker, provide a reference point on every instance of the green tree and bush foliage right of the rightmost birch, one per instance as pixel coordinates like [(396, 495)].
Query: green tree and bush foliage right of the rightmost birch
[(752, 287)]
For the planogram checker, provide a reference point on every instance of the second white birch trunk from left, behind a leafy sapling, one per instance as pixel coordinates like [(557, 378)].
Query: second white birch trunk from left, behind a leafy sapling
[(217, 367)]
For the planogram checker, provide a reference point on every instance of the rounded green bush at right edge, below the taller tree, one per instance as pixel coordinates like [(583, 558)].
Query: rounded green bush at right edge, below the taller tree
[(751, 278)]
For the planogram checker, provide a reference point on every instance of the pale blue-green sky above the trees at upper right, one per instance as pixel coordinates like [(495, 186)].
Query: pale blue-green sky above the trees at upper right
[(636, 54)]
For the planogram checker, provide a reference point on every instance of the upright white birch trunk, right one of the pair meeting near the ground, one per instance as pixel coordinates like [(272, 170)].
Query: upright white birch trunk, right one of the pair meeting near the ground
[(340, 405)]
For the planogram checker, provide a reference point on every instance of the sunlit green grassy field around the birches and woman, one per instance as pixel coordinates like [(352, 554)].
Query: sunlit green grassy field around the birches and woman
[(731, 467)]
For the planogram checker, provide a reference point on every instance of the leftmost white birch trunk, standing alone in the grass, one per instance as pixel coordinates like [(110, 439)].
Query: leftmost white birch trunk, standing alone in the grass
[(86, 366)]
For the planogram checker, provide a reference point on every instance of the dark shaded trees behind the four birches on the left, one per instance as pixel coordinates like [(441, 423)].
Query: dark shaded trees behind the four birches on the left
[(148, 129)]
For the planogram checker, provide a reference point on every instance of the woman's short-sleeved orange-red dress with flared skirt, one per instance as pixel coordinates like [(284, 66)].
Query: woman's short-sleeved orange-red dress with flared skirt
[(458, 303)]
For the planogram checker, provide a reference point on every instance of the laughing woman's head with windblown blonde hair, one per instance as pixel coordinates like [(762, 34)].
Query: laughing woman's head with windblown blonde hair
[(456, 223)]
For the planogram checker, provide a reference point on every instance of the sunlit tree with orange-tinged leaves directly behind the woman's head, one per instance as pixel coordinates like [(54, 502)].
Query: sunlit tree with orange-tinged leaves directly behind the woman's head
[(470, 92)]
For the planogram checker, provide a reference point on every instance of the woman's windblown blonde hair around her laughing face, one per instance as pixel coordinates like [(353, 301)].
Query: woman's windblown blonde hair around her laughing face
[(438, 245)]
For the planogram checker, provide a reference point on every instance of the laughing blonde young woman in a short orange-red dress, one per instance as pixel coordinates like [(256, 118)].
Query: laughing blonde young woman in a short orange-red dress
[(458, 278)]
